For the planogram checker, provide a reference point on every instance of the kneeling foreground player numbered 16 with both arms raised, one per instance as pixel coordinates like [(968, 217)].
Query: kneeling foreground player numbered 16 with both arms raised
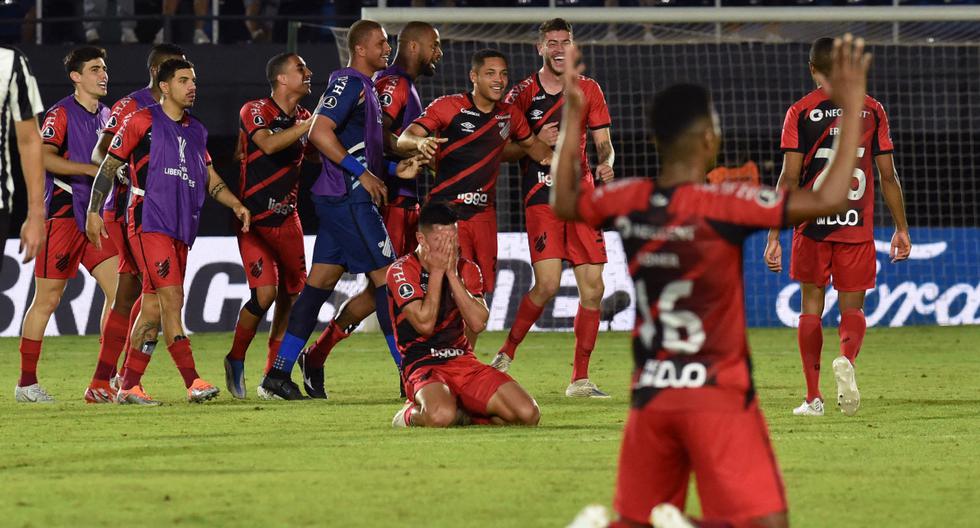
[(694, 406)]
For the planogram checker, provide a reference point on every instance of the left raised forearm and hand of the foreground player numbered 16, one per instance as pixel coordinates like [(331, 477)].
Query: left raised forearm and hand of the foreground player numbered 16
[(566, 165)]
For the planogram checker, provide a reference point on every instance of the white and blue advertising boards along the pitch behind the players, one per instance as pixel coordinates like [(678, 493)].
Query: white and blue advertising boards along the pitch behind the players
[(940, 284)]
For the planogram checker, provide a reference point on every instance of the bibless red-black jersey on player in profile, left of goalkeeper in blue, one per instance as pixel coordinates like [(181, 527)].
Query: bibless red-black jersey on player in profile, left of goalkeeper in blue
[(268, 183)]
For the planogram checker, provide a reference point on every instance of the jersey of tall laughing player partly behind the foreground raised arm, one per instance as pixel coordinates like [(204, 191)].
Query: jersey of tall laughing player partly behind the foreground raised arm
[(541, 108)]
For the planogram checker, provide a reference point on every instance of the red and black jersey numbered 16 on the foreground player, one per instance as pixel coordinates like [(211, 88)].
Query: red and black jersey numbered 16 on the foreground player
[(684, 251)]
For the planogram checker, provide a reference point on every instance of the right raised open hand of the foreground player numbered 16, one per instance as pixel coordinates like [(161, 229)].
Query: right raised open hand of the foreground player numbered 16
[(848, 80)]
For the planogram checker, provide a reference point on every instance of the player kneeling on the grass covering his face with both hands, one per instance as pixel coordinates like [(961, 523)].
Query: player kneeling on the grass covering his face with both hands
[(435, 294)]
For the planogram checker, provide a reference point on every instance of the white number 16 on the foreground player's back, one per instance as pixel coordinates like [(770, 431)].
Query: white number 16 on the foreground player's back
[(671, 319)]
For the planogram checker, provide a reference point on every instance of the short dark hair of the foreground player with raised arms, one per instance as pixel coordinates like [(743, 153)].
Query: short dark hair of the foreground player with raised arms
[(675, 109)]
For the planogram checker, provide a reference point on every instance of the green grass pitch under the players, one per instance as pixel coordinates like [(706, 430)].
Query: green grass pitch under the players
[(911, 457)]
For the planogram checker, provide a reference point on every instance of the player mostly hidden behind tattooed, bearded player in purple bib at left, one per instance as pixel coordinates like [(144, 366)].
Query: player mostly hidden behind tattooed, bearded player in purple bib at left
[(126, 306)]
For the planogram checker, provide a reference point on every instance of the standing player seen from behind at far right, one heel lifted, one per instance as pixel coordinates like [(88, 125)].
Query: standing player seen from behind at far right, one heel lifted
[(839, 245)]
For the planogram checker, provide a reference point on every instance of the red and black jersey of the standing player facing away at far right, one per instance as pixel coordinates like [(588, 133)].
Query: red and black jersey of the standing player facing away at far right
[(810, 127)]
